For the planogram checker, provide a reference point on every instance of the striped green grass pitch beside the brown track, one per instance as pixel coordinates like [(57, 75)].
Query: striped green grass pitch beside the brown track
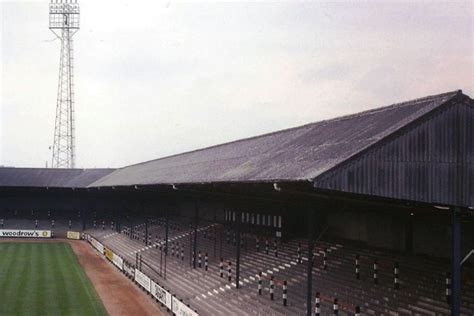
[(44, 279)]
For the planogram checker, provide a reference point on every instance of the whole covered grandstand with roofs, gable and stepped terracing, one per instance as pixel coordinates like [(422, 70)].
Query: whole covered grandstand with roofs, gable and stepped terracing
[(361, 214)]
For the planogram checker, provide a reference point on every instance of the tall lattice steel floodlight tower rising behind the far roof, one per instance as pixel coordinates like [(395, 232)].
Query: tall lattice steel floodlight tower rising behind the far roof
[(64, 23)]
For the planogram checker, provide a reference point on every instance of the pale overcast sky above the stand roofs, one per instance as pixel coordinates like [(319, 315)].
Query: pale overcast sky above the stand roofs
[(155, 78)]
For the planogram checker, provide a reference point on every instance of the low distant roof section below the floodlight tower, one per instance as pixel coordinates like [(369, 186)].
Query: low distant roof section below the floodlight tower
[(43, 177)]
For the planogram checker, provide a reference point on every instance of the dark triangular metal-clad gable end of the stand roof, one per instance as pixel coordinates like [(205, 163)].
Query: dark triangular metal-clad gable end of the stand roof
[(430, 160)]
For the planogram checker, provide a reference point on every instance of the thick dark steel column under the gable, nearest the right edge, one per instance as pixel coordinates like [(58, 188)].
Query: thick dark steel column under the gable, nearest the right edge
[(456, 263)]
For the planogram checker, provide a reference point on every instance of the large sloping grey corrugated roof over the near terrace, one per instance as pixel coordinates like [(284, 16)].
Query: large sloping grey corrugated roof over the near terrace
[(300, 153)]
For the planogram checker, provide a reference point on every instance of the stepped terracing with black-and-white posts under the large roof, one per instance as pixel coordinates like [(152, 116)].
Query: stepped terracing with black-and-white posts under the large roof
[(421, 290)]
